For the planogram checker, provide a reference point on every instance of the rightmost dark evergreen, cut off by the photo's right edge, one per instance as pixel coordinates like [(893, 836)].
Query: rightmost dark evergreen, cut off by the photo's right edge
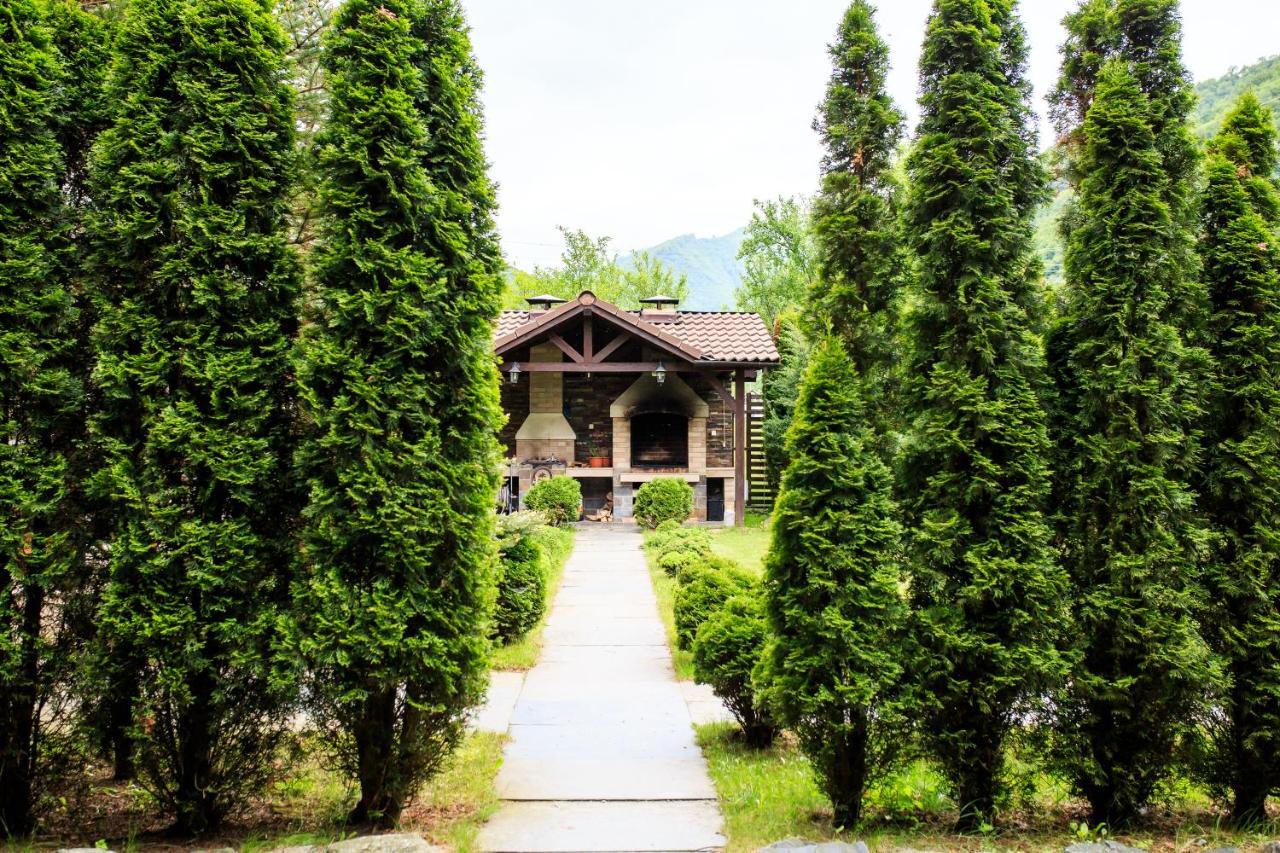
[(1241, 494)]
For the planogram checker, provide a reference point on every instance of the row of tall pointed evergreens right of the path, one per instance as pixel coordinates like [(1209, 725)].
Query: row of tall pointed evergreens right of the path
[(1087, 481)]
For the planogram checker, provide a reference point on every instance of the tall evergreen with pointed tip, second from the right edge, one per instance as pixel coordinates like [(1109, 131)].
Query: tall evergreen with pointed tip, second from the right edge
[(1130, 540)]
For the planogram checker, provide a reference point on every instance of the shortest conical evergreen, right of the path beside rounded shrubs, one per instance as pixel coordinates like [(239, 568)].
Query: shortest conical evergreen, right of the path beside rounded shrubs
[(831, 587)]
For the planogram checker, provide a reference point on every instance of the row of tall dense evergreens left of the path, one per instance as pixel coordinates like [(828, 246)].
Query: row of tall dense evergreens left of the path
[(232, 485)]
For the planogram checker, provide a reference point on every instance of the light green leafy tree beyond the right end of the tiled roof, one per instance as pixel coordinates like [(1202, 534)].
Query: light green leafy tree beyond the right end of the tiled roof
[(780, 259)]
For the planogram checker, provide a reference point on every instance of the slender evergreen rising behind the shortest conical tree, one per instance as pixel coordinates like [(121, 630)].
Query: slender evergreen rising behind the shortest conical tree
[(856, 213)]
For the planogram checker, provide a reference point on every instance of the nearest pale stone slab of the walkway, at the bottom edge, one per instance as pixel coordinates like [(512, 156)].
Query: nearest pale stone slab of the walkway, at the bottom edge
[(605, 828)]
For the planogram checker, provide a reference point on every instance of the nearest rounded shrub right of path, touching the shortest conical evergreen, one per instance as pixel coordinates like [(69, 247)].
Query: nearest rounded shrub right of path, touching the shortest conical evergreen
[(726, 651)]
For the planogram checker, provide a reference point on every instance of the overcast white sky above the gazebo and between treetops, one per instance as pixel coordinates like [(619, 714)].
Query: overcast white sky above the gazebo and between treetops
[(646, 120)]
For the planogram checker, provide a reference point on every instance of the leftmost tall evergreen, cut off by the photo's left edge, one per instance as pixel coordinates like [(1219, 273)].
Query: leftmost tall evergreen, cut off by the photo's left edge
[(40, 395)]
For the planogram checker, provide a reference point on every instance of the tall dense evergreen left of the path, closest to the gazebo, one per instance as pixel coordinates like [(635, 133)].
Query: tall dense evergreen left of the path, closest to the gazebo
[(401, 398)]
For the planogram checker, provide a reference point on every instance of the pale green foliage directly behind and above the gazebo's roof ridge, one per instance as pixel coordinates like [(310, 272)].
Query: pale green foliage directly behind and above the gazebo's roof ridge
[(589, 264)]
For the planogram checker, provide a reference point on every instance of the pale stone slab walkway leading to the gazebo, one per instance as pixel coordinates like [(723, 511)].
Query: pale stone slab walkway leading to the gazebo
[(602, 752)]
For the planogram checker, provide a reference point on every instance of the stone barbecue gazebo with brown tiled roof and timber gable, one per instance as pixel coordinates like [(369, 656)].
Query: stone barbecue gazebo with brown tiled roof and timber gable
[(619, 398)]
